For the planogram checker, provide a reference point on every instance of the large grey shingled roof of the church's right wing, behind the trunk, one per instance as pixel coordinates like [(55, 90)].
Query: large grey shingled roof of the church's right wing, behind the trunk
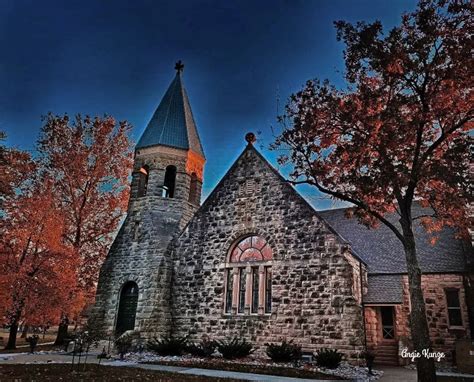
[(383, 252)]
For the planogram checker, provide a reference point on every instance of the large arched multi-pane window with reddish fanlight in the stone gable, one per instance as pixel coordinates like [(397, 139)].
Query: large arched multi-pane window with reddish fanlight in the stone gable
[(248, 285)]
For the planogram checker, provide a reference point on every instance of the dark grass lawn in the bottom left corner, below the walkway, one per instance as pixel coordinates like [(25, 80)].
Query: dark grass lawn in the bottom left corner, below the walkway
[(62, 372)]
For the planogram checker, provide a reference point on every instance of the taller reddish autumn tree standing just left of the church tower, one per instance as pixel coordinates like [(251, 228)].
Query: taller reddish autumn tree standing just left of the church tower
[(90, 161)]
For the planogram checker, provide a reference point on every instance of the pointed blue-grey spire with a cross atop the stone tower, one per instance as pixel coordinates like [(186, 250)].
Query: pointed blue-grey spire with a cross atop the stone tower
[(173, 124)]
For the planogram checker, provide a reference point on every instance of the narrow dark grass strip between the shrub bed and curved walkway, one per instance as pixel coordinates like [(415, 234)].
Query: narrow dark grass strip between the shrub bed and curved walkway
[(246, 368)]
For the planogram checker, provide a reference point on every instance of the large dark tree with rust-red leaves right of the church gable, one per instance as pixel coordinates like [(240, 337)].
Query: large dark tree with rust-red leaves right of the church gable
[(397, 134)]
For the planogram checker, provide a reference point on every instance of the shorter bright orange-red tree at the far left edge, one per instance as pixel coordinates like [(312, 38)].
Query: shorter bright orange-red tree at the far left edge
[(35, 264)]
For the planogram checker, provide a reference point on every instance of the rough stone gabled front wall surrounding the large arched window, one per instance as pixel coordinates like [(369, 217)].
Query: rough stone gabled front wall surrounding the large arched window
[(314, 298)]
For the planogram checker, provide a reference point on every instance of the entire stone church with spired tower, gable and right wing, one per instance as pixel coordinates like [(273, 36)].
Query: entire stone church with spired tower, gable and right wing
[(257, 261)]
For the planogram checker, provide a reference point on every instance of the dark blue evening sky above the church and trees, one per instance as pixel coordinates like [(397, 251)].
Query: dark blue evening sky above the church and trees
[(117, 57)]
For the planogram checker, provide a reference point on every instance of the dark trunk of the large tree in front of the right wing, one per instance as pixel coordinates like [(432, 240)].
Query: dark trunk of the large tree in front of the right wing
[(418, 324)]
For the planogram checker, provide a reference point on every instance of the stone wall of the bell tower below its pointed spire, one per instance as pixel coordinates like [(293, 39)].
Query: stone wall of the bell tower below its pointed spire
[(140, 251)]
